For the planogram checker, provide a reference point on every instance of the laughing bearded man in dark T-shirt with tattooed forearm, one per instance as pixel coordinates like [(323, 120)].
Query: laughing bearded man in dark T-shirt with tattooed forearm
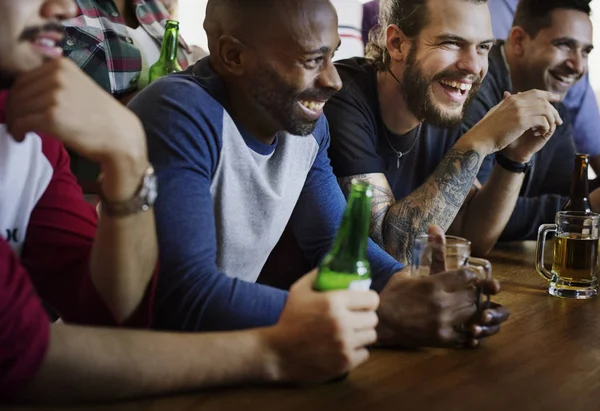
[(395, 125)]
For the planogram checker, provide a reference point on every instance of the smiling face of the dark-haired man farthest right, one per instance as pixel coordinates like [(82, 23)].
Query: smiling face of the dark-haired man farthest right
[(558, 55)]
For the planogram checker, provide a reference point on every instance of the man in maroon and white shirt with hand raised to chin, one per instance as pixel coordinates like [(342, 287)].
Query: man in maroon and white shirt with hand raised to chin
[(101, 273)]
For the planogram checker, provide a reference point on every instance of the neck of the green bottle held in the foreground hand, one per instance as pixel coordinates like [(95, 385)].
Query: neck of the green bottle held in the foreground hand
[(351, 241)]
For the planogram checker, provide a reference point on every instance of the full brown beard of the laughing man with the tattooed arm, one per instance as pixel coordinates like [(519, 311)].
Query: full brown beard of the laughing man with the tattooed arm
[(417, 90)]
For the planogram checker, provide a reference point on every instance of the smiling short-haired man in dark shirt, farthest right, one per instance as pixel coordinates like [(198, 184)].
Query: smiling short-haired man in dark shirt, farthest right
[(547, 49)]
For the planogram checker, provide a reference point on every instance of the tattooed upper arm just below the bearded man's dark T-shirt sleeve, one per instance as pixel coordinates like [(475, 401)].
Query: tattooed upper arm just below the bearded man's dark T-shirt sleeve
[(382, 200)]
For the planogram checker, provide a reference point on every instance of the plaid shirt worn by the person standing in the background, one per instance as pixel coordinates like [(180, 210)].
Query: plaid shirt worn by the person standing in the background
[(98, 41)]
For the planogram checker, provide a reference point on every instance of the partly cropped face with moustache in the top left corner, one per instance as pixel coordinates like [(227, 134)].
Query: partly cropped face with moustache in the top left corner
[(29, 31)]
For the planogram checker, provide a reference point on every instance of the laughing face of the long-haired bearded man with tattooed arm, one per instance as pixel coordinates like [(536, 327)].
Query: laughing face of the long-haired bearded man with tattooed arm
[(447, 61)]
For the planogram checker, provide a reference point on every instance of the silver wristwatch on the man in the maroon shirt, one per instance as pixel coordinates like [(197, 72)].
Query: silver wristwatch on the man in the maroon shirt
[(142, 200)]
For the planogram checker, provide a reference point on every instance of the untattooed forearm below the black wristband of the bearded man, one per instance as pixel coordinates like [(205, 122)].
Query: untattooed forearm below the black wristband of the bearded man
[(490, 209)]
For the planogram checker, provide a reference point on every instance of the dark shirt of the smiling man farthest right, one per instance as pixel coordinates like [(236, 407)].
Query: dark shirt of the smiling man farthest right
[(548, 183)]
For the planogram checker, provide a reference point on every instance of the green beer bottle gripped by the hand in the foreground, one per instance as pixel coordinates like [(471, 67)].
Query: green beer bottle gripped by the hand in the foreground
[(346, 265)]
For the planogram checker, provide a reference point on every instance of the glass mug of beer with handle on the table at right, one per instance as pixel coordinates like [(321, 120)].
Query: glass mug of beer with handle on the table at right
[(574, 271)]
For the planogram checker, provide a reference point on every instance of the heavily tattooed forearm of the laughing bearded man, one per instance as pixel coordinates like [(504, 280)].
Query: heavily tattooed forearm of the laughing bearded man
[(437, 201)]
